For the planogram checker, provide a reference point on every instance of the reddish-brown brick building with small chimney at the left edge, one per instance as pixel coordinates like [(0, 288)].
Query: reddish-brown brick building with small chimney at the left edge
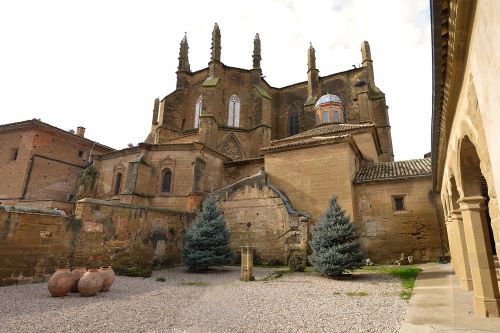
[(41, 164)]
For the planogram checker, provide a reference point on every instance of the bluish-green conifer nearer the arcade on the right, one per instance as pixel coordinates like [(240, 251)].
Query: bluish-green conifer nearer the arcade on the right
[(335, 246)]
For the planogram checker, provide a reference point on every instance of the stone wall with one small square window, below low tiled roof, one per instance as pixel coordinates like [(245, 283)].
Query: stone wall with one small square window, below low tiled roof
[(385, 232)]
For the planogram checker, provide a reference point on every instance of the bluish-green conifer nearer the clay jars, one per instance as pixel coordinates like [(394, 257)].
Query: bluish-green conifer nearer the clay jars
[(206, 243)]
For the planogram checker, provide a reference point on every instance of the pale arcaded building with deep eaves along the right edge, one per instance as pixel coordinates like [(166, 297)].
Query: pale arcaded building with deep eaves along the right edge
[(466, 140)]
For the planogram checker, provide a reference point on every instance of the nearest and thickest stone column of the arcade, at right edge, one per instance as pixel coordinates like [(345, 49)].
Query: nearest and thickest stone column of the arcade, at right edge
[(486, 295)]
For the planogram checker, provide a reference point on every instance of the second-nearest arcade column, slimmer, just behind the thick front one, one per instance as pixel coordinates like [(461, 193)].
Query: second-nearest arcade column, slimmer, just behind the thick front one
[(461, 250)]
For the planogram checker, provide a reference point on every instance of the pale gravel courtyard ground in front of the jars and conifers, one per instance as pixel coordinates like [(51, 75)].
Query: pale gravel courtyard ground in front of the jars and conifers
[(296, 302)]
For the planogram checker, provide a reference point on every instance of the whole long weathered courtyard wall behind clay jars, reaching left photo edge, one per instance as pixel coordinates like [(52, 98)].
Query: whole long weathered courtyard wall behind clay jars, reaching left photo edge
[(34, 242)]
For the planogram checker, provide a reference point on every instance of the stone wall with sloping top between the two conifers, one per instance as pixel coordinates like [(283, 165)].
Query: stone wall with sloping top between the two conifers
[(256, 215)]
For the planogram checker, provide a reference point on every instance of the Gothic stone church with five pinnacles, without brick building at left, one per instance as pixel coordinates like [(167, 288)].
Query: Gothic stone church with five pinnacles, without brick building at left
[(273, 156)]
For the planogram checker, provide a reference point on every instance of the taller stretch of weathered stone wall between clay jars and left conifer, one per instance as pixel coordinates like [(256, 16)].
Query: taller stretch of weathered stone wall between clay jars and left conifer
[(127, 235)]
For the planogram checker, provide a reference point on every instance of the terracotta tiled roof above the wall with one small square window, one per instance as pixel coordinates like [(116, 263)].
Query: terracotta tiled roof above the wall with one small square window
[(393, 170)]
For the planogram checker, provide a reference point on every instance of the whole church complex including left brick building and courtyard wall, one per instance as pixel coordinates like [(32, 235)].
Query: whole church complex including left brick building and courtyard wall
[(271, 156)]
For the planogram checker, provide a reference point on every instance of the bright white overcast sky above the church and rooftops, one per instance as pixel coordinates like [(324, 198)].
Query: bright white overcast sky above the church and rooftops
[(100, 64)]
